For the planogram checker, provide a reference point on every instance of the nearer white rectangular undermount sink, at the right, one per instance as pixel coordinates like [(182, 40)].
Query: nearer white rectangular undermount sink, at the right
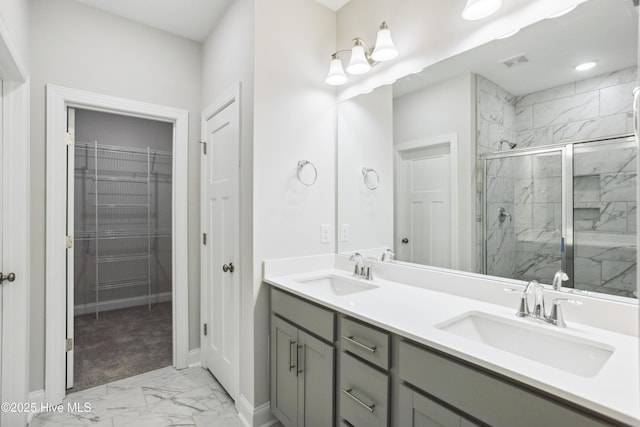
[(571, 354)]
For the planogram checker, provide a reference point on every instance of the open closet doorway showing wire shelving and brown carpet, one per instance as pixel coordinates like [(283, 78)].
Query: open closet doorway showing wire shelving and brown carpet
[(121, 290)]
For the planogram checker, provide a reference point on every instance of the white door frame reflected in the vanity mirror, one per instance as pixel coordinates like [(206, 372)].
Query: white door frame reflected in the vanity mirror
[(451, 140)]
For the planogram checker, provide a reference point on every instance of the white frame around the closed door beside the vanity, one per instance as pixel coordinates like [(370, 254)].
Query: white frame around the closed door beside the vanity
[(230, 96)]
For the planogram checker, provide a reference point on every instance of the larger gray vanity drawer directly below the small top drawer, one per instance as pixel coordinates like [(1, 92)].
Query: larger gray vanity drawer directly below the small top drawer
[(364, 394)]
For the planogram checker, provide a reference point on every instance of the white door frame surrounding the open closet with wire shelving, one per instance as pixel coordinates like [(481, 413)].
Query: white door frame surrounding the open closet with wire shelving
[(58, 99)]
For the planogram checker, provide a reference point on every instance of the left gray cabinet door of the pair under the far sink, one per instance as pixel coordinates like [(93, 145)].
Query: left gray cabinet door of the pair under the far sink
[(284, 375)]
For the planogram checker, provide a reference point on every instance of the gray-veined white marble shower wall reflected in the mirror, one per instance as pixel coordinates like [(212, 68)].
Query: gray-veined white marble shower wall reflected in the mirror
[(526, 246)]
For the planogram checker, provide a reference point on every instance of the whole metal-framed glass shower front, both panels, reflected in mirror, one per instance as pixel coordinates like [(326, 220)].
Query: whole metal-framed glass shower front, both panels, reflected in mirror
[(569, 206)]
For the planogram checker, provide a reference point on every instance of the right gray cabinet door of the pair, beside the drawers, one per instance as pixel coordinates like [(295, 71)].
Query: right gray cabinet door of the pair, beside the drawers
[(316, 386)]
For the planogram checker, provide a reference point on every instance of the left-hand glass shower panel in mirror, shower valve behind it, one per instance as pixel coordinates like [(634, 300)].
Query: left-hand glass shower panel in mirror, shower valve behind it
[(523, 200)]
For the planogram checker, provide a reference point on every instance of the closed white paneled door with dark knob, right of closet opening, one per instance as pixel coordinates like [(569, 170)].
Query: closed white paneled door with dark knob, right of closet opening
[(221, 271)]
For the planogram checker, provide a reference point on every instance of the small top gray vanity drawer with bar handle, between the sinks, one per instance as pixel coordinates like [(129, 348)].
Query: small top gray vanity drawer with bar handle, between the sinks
[(371, 344)]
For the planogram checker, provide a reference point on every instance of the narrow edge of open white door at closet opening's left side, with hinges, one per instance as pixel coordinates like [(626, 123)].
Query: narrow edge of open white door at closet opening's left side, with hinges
[(70, 227)]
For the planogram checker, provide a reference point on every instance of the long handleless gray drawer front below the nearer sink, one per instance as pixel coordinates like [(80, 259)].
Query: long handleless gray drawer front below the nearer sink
[(494, 400)]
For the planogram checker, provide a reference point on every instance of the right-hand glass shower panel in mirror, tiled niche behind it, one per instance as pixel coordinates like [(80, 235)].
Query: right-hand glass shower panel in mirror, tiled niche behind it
[(604, 211)]
